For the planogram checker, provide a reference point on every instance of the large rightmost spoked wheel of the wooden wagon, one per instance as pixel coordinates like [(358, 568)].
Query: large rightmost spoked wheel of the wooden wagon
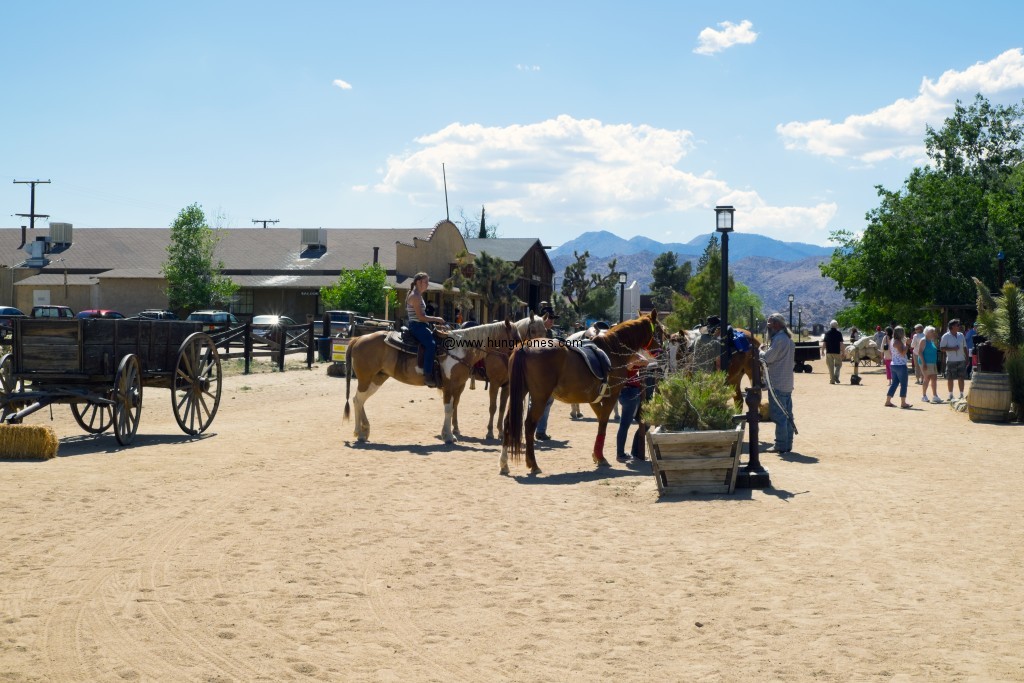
[(196, 392)]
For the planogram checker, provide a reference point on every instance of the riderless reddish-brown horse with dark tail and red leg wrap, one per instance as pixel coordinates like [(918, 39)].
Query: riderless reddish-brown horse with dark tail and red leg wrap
[(545, 370)]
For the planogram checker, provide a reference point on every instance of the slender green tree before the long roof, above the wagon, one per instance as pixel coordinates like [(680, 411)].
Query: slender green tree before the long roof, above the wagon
[(194, 280)]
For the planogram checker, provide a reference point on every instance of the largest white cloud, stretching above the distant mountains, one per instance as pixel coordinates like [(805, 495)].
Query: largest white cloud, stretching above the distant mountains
[(580, 173)]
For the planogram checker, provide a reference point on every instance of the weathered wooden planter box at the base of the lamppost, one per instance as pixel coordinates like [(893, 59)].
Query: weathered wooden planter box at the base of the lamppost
[(698, 462)]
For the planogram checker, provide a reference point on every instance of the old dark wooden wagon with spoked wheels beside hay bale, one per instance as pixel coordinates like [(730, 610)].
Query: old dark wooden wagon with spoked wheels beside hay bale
[(100, 367)]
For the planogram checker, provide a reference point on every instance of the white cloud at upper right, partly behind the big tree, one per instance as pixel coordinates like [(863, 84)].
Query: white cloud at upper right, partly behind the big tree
[(898, 131)]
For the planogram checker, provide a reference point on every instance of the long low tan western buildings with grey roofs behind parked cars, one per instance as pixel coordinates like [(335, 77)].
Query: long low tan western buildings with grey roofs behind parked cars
[(278, 270)]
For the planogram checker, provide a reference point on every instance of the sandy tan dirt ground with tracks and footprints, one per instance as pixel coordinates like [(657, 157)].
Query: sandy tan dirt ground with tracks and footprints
[(272, 548)]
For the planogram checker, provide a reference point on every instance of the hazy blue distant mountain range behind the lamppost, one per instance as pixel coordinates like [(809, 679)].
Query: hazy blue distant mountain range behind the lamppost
[(772, 269)]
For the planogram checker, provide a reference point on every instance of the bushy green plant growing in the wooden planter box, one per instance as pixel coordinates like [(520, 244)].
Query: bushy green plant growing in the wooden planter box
[(688, 402)]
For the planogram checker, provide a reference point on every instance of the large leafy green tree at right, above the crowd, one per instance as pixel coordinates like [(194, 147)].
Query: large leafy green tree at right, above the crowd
[(948, 223)]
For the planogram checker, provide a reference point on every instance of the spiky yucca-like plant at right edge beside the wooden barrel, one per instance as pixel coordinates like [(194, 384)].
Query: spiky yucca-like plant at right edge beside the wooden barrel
[(1001, 320)]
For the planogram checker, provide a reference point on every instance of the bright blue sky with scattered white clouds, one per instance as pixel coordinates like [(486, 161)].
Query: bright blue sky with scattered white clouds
[(560, 117)]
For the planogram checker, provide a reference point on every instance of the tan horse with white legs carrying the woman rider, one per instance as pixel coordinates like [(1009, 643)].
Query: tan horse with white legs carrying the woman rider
[(373, 362)]
